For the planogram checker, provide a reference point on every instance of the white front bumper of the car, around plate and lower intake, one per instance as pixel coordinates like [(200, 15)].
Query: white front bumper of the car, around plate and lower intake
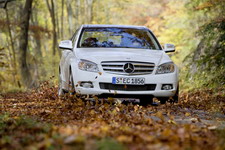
[(96, 78)]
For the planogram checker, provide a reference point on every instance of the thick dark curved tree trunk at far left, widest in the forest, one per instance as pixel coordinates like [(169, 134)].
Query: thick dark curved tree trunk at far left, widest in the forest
[(24, 26)]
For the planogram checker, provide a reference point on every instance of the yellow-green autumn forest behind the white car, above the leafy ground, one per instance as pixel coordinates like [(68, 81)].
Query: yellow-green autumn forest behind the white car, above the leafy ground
[(196, 27)]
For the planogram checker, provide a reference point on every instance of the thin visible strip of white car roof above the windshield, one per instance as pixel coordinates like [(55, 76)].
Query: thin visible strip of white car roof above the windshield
[(112, 26)]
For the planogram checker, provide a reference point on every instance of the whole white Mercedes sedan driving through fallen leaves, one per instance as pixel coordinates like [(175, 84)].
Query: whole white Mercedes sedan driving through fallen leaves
[(117, 60)]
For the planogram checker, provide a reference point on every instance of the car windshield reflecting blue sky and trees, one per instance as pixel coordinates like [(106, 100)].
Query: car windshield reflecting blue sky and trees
[(117, 38)]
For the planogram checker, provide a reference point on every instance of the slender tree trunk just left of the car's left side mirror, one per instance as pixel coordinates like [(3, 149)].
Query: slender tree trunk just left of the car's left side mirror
[(52, 14)]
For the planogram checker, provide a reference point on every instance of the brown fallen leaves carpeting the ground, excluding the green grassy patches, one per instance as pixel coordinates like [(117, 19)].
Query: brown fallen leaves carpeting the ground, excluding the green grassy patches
[(136, 126)]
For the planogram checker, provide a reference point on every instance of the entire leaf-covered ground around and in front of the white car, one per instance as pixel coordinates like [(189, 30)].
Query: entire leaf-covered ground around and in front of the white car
[(40, 120)]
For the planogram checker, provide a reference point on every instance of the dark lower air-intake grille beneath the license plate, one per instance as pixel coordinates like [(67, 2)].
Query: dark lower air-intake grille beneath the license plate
[(117, 87)]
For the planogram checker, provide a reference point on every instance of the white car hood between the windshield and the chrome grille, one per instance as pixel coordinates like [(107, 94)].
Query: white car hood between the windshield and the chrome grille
[(98, 55)]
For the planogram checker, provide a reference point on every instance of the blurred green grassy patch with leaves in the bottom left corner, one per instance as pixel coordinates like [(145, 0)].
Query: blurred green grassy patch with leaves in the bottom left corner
[(22, 131)]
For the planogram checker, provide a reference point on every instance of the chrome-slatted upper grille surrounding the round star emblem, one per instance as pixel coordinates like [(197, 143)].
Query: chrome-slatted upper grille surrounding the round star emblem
[(117, 67)]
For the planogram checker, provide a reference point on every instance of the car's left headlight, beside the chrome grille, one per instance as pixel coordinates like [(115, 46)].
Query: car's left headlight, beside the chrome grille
[(88, 66)]
